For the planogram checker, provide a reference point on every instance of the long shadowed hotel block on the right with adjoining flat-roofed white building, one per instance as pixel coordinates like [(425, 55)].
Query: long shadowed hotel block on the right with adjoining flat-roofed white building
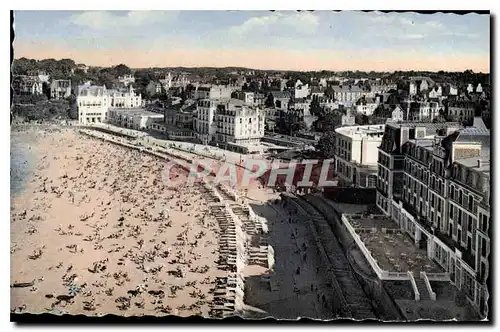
[(433, 180)]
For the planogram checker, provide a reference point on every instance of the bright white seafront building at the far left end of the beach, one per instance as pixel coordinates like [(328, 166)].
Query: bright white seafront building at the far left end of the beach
[(95, 101)]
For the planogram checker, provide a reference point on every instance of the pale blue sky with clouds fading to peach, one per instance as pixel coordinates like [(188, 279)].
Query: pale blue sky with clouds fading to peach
[(281, 40)]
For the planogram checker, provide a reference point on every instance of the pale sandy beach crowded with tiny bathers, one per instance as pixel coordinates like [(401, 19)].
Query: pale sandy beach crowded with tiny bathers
[(97, 232)]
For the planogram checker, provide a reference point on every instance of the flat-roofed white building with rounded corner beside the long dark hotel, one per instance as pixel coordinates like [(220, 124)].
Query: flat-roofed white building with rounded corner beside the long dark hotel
[(356, 153)]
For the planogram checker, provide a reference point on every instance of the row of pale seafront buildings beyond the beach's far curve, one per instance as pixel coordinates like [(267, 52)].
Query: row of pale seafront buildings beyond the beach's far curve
[(214, 117)]
